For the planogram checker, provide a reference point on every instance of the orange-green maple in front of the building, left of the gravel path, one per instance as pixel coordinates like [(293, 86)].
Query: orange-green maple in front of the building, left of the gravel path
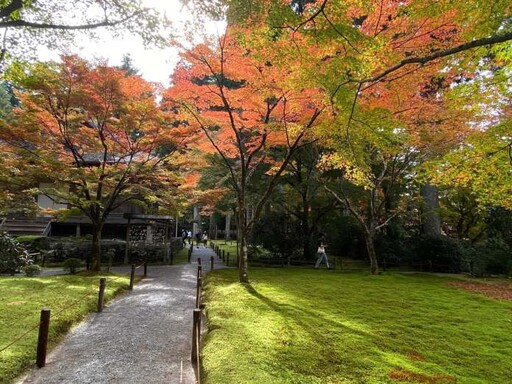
[(95, 136)]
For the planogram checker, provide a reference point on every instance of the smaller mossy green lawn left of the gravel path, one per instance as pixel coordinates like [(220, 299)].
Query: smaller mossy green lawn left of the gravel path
[(69, 297)]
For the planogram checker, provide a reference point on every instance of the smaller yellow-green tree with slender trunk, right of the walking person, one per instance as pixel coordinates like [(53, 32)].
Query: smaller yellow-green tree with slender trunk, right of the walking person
[(376, 159)]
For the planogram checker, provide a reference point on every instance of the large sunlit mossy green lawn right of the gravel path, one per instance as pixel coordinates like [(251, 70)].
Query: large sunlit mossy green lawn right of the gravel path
[(308, 326)]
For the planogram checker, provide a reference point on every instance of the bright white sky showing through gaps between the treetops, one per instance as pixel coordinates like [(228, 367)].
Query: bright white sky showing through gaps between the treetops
[(153, 64)]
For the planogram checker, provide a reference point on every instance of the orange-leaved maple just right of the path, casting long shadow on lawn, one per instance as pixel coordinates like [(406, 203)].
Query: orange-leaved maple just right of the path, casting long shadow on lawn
[(248, 112)]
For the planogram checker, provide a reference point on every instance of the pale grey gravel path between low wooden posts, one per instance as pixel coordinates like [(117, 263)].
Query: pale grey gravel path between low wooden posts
[(142, 337)]
